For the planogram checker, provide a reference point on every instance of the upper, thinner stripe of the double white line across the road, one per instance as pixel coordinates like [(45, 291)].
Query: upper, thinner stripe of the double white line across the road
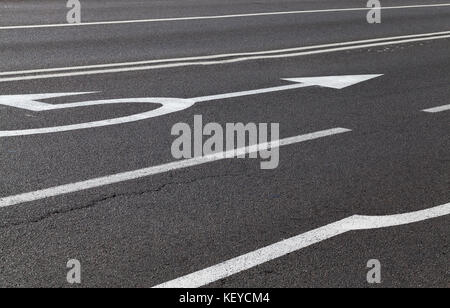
[(218, 56)]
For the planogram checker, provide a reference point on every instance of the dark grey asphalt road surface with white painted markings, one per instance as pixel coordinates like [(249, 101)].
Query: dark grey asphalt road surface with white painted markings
[(225, 222)]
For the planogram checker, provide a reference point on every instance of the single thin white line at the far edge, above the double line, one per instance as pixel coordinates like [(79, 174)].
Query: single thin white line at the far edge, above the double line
[(119, 22)]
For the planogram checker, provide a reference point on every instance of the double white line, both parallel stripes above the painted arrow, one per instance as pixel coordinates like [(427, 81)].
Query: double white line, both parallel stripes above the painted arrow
[(215, 59)]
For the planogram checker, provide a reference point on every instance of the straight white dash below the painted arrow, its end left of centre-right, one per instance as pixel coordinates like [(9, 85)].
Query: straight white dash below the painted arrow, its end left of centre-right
[(137, 174)]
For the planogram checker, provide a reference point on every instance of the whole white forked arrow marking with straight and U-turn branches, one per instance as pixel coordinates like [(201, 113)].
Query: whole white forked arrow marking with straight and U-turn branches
[(168, 105)]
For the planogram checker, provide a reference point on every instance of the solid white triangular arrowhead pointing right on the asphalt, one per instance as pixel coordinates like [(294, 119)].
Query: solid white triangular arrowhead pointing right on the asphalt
[(335, 82)]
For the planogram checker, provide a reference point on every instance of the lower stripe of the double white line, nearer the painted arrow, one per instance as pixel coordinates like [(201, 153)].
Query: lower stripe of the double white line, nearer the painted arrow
[(220, 62)]
